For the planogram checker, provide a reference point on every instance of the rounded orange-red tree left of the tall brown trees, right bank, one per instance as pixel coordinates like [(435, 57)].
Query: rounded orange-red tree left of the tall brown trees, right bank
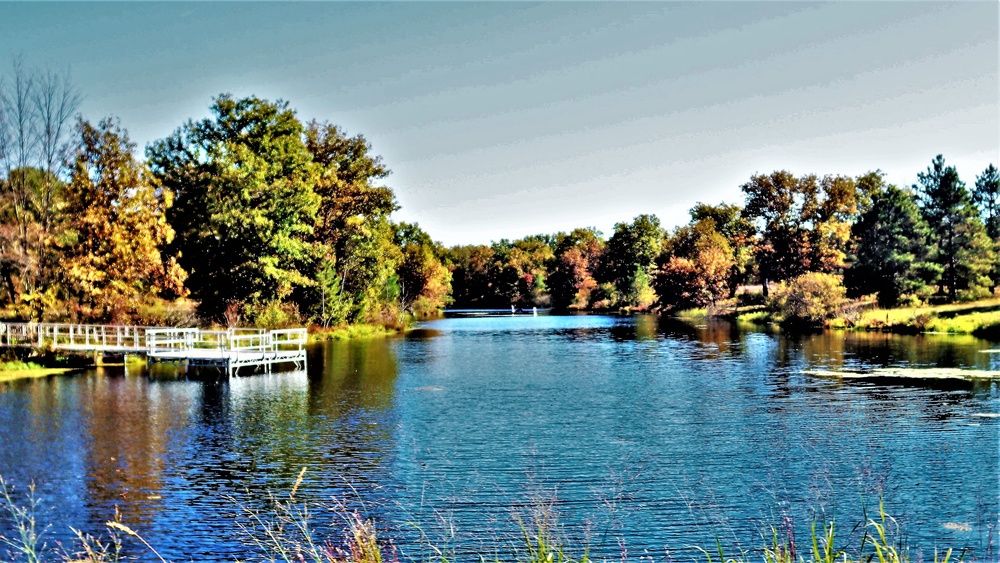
[(695, 267)]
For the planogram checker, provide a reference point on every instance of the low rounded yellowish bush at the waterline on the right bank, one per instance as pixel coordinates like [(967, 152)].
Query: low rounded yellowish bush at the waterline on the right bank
[(810, 298)]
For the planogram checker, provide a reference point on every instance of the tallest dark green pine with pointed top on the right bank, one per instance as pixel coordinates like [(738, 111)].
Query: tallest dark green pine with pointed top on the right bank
[(965, 252)]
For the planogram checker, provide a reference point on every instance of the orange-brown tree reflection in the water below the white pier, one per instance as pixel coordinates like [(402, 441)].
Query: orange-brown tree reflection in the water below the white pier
[(129, 435)]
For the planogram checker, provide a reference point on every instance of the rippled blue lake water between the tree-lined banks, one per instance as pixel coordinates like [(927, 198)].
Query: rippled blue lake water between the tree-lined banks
[(637, 434)]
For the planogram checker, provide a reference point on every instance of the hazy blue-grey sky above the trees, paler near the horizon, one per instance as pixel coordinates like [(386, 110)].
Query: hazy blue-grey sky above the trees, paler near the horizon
[(505, 119)]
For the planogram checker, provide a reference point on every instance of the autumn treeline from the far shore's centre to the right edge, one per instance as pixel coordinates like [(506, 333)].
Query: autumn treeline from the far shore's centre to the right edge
[(936, 239)]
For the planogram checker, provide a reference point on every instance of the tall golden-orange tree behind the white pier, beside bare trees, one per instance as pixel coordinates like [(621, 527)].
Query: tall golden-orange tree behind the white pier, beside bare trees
[(117, 226)]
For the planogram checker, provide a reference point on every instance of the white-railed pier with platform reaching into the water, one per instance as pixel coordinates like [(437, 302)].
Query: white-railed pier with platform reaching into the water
[(227, 350)]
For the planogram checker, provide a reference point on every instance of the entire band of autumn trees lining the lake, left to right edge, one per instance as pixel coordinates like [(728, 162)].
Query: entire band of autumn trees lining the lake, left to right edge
[(254, 216)]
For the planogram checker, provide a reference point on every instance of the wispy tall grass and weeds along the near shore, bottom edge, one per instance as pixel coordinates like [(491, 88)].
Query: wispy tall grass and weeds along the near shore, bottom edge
[(285, 533)]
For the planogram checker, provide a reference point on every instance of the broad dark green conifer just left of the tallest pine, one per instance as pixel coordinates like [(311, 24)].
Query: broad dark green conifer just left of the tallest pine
[(892, 256)]
